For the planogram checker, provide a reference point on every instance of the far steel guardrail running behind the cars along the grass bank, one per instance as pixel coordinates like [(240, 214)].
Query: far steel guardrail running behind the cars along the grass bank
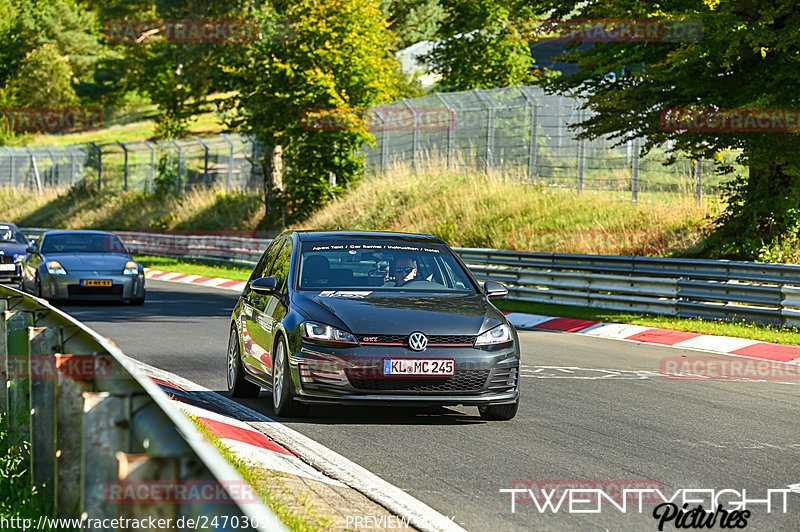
[(715, 289)]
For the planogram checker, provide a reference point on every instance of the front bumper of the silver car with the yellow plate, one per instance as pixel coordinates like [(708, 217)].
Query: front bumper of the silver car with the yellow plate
[(123, 287)]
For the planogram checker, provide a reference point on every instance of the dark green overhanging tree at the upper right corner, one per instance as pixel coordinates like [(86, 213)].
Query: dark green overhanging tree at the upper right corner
[(747, 57)]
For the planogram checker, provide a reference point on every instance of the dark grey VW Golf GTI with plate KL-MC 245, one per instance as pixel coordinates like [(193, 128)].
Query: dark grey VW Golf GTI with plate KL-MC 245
[(371, 318)]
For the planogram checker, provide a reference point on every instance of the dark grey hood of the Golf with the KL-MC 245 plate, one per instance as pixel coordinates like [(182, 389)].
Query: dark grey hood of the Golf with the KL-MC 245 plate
[(381, 313)]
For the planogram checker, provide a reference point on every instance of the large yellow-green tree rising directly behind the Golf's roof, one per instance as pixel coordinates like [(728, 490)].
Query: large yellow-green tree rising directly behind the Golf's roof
[(323, 55)]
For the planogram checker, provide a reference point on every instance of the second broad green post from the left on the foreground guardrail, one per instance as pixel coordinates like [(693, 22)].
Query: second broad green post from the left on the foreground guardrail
[(44, 342)]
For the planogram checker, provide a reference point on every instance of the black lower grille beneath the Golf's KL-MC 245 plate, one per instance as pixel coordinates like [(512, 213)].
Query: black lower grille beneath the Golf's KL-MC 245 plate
[(465, 381)]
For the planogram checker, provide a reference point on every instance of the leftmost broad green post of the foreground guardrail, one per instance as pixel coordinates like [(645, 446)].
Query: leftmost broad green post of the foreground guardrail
[(19, 374)]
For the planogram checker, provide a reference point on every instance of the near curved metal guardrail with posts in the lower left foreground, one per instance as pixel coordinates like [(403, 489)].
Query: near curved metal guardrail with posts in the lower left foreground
[(100, 432)]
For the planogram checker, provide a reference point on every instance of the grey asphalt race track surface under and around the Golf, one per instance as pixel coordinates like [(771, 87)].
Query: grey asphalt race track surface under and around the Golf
[(593, 410)]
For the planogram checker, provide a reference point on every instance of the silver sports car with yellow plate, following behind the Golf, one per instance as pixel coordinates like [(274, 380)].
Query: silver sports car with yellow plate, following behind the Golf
[(83, 265)]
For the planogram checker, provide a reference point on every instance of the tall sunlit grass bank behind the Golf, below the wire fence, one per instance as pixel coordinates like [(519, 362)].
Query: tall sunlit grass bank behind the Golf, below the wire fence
[(475, 210)]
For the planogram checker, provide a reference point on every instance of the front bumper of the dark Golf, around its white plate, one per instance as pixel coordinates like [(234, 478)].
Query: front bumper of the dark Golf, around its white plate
[(355, 375)]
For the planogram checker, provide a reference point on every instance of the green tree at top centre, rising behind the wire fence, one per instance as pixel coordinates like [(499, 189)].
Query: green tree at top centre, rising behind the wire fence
[(480, 44)]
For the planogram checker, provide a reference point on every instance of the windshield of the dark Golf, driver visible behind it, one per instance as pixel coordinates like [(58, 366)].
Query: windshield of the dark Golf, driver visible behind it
[(380, 265)]
